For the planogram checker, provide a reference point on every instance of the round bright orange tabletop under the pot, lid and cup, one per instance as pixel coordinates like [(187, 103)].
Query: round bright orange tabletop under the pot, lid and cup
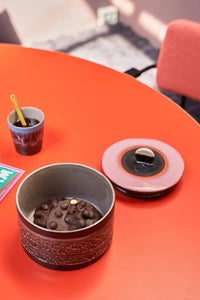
[(155, 253)]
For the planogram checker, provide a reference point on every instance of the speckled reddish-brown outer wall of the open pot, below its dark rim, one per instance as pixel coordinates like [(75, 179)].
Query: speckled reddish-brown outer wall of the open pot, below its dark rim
[(67, 253)]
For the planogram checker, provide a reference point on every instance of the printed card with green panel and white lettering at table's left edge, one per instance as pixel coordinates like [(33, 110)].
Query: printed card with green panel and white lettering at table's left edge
[(8, 177)]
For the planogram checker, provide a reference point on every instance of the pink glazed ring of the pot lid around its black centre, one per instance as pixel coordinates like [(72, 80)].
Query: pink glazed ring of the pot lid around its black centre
[(164, 180)]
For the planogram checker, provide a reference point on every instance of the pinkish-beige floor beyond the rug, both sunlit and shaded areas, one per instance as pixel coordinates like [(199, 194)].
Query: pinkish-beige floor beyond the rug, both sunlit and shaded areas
[(41, 20)]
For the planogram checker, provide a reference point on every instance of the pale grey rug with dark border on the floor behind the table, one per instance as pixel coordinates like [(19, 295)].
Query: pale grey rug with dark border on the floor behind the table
[(119, 48)]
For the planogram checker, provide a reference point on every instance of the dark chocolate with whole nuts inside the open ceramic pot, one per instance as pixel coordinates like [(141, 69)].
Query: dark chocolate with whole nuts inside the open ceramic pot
[(66, 214)]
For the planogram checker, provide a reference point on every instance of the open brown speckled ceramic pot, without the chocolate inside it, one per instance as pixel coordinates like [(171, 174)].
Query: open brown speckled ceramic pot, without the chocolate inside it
[(65, 250)]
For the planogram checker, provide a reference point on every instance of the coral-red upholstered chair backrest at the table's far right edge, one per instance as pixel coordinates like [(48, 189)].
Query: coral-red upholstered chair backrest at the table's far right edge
[(178, 67)]
